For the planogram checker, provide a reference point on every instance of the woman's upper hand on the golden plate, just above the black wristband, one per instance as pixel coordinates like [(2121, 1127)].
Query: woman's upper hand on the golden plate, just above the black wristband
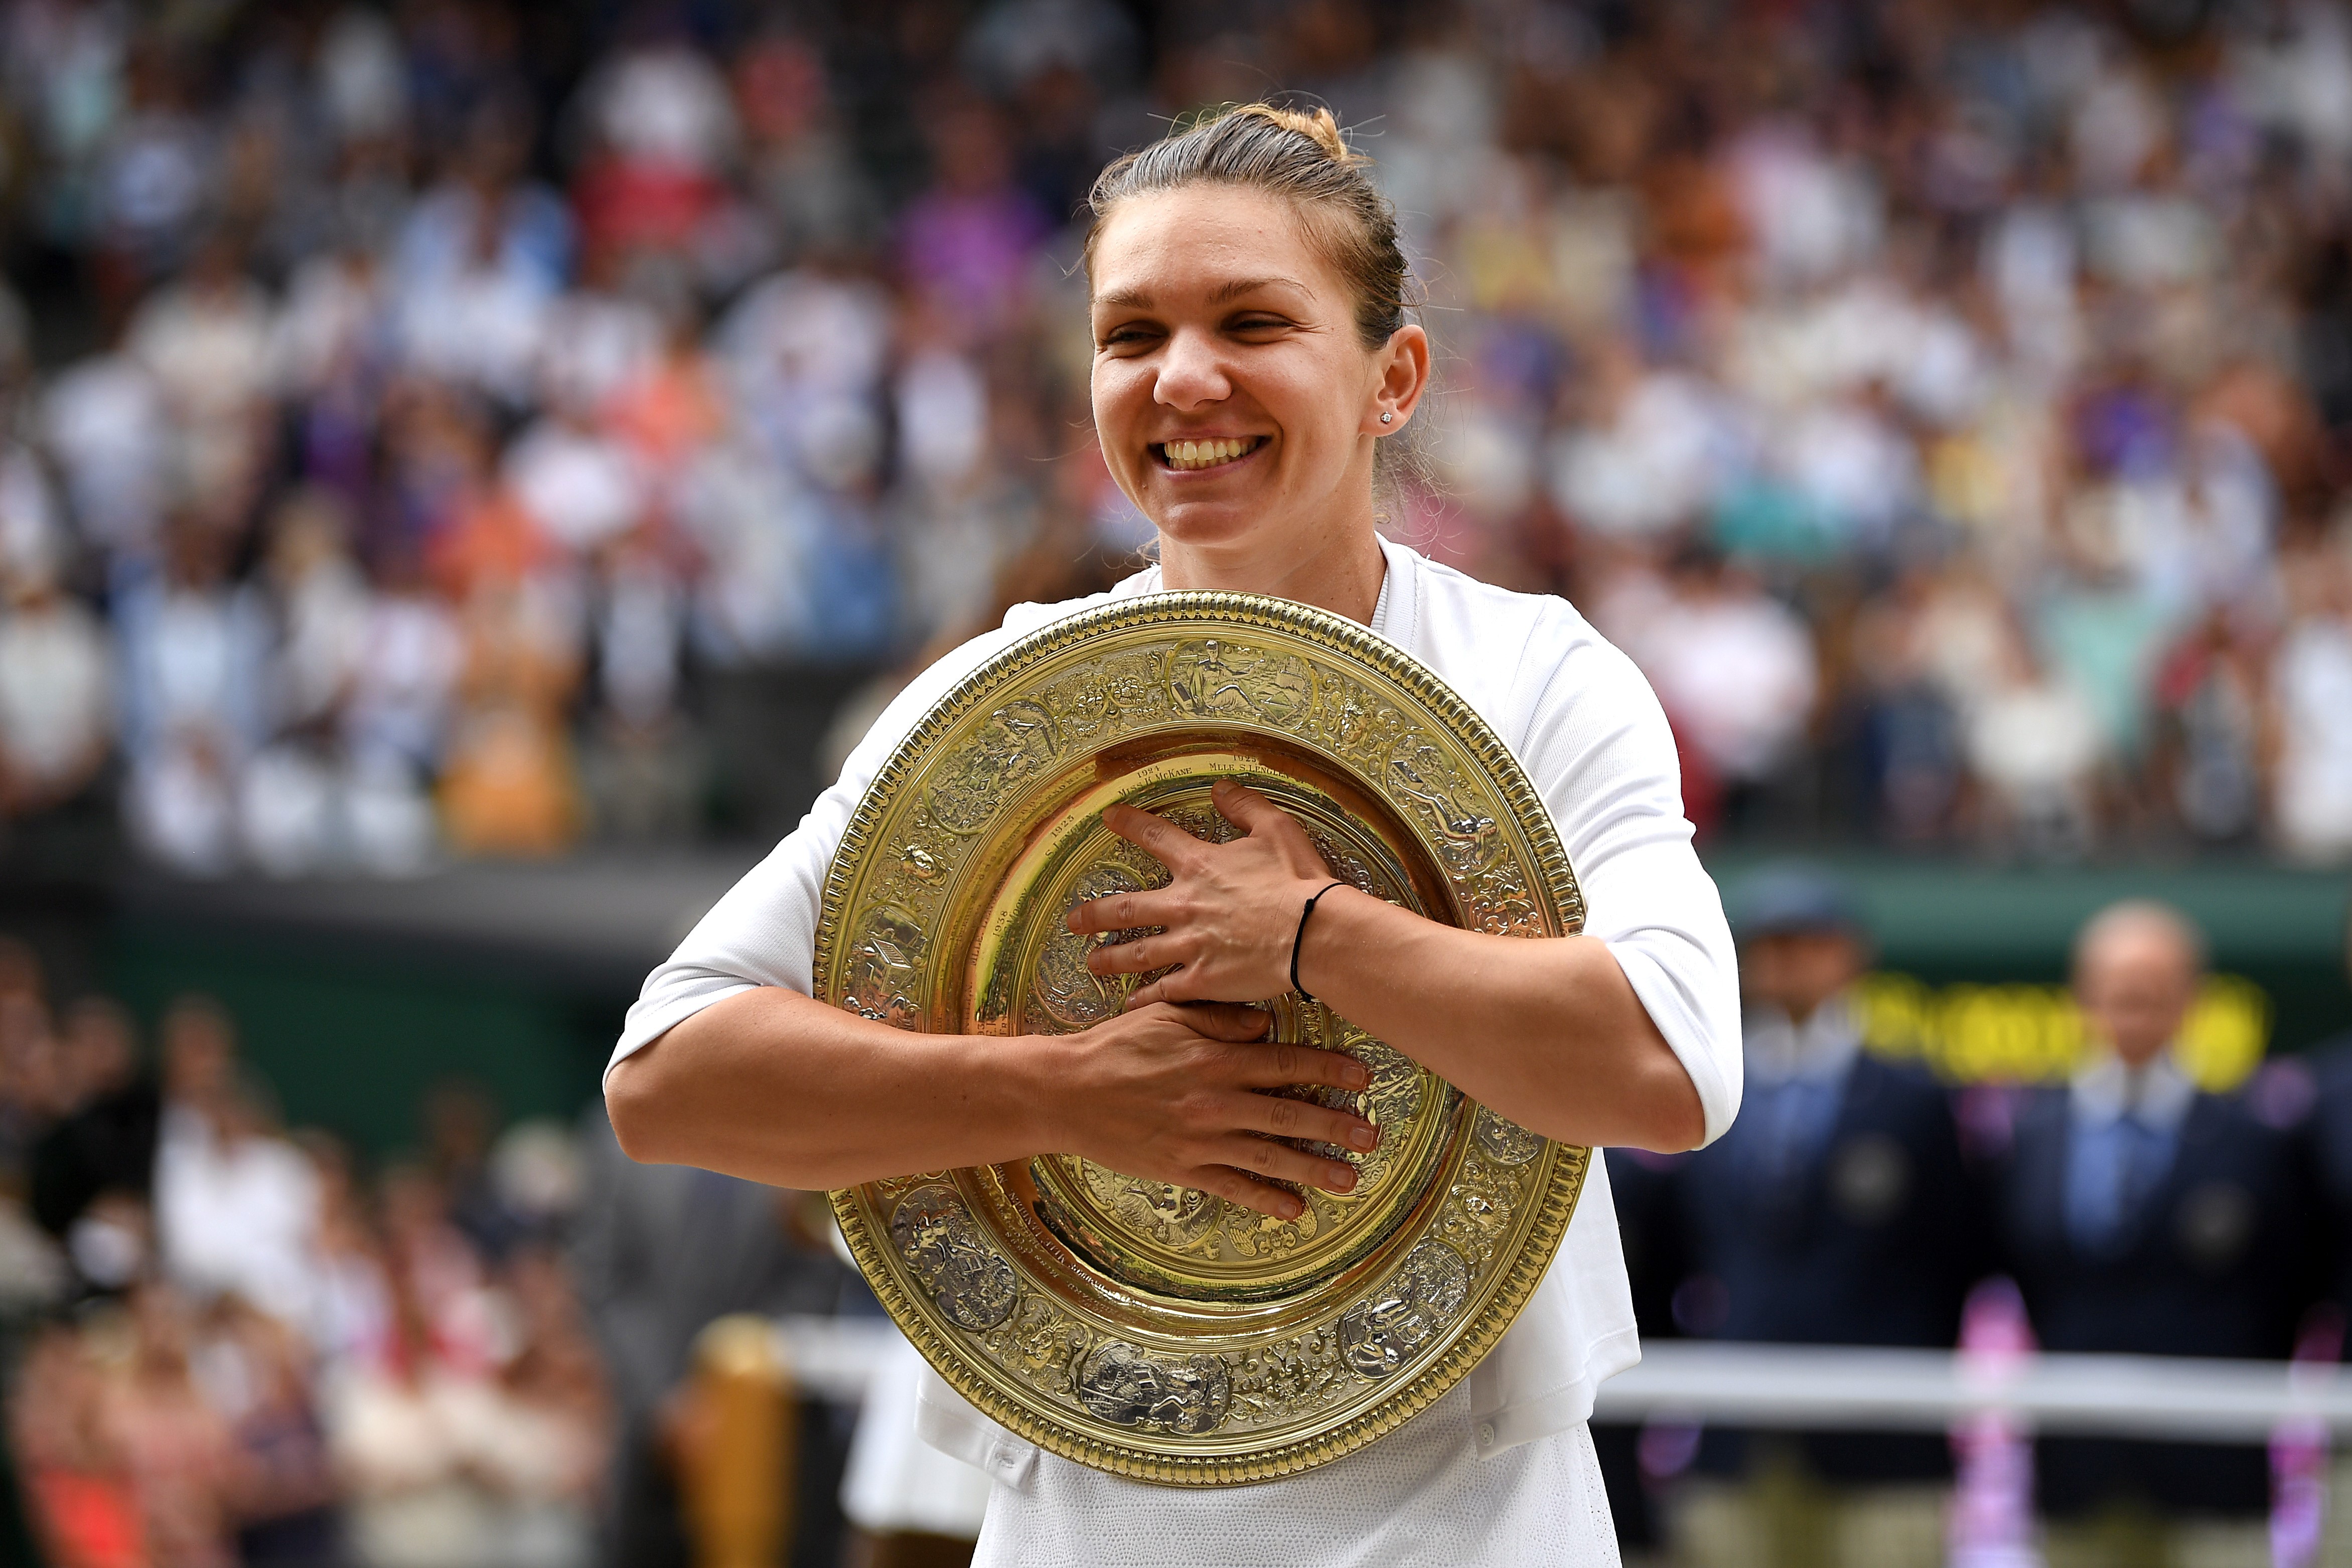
[(1229, 916)]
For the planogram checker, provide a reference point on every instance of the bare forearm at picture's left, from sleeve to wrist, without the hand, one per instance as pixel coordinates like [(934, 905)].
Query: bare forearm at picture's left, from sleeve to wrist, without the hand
[(789, 1092)]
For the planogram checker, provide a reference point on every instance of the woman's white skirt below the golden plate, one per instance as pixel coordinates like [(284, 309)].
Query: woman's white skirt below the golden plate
[(1417, 1496)]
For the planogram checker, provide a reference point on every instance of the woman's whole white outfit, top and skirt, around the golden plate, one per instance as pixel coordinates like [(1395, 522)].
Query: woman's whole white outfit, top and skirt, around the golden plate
[(1504, 1461)]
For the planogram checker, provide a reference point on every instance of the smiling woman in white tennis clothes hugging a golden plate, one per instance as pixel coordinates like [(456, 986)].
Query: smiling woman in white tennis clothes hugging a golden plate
[(1252, 359)]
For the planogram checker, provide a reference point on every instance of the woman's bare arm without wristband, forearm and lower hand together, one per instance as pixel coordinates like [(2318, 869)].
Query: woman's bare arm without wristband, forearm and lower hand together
[(782, 1090)]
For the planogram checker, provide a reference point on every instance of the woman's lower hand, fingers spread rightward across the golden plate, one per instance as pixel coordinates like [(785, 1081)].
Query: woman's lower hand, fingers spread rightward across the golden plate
[(1175, 1094)]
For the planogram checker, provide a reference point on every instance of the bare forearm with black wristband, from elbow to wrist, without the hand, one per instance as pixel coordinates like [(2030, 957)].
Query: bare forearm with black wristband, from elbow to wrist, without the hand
[(1549, 1033)]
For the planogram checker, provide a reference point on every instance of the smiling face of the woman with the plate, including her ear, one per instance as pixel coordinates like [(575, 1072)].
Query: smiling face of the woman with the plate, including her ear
[(1231, 394)]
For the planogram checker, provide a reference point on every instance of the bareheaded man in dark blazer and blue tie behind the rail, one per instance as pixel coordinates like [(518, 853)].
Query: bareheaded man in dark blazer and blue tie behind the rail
[(2149, 1217)]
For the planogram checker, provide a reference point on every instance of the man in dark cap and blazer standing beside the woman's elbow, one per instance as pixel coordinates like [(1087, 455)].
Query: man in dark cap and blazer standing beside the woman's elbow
[(1836, 1212)]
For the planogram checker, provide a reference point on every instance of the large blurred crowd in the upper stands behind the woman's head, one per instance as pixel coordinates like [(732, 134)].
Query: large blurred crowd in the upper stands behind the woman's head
[(408, 415)]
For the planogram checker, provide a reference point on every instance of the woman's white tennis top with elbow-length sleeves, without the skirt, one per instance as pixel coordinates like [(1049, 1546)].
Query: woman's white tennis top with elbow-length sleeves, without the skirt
[(1596, 744)]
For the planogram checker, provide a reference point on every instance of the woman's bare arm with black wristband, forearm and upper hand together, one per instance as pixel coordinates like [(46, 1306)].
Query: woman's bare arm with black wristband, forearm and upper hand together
[(1551, 1033)]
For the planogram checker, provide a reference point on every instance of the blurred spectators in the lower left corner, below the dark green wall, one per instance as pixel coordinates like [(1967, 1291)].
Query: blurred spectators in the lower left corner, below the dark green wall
[(234, 1346)]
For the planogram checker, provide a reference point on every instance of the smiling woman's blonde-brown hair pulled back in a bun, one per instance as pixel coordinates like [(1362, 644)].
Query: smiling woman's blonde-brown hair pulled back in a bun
[(1297, 156)]
